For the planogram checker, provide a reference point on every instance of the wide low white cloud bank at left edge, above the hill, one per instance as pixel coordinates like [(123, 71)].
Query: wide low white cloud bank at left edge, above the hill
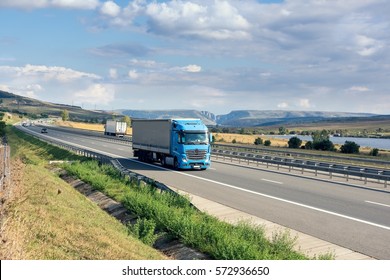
[(54, 84)]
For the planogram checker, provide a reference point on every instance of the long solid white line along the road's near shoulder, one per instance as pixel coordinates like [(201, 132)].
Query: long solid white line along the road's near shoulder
[(248, 191)]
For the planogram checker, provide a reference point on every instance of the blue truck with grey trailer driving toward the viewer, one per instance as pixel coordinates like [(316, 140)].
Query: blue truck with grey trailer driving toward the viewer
[(181, 143)]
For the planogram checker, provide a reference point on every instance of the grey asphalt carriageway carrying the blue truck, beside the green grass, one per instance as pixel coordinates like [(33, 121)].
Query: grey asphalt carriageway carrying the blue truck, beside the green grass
[(355, 218)]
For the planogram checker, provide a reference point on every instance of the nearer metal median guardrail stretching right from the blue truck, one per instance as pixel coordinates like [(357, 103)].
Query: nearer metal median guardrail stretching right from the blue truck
[(362, 172)]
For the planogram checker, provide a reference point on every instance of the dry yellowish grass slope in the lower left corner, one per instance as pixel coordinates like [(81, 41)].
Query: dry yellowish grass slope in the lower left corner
[(45, 218)]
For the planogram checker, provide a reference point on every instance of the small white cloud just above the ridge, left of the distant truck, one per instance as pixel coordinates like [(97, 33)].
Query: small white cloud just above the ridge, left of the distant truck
[(96, 94)]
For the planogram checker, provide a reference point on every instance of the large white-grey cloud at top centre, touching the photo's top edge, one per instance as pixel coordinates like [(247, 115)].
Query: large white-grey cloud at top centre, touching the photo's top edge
[(219, 20)]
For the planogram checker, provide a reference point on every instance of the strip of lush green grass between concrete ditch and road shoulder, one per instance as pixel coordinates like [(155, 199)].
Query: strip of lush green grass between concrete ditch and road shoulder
[(176, 215)]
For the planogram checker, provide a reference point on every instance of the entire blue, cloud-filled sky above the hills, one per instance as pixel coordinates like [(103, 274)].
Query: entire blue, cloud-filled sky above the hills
[(214, 55)]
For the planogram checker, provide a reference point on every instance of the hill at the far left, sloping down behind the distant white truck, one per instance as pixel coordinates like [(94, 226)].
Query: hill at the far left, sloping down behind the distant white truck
[(35, 108)]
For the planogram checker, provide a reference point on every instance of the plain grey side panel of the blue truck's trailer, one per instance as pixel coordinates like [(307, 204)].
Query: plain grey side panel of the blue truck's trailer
[(152, 135)]
